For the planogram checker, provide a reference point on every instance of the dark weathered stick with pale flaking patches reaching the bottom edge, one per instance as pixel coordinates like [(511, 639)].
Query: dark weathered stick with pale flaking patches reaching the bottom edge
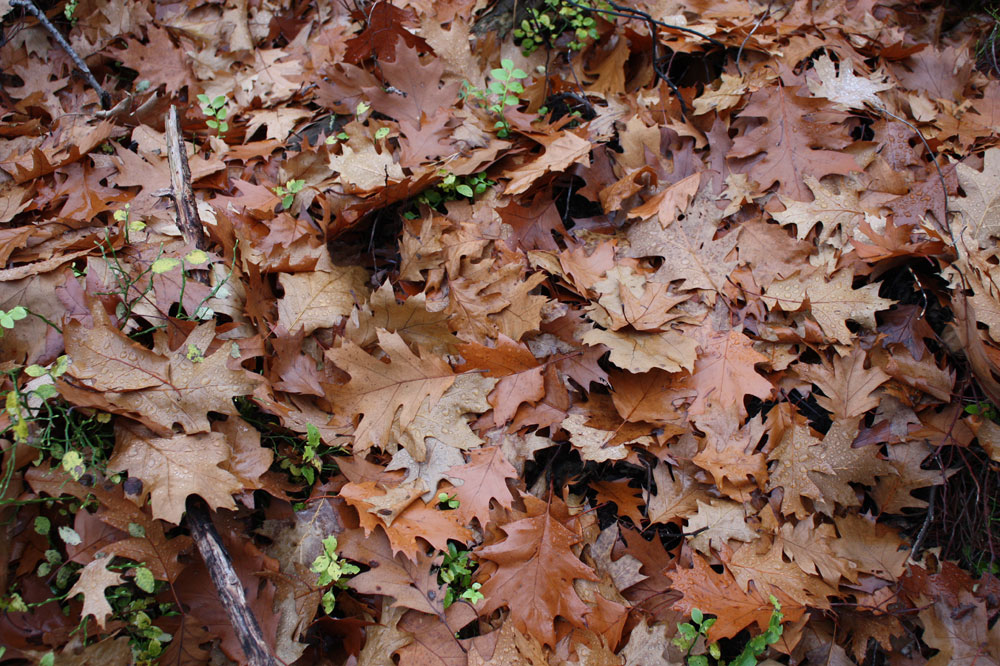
[(220, 568)]
